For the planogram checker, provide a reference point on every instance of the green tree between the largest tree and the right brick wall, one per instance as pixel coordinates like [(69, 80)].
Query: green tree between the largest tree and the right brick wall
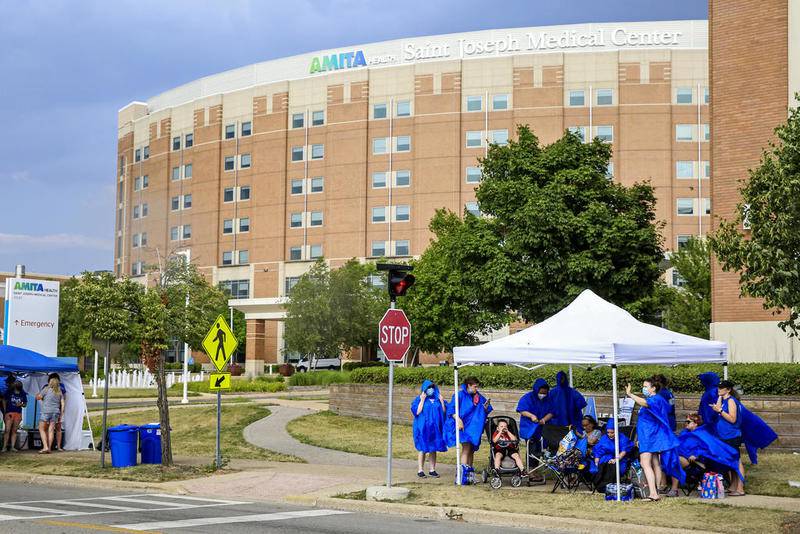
[(689, 308)]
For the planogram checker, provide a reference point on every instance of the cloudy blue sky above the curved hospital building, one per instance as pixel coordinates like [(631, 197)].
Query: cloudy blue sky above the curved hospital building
[(68, 65)]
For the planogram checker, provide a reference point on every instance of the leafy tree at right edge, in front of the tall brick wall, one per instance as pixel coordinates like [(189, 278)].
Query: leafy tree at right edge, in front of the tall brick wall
[(766, 254)]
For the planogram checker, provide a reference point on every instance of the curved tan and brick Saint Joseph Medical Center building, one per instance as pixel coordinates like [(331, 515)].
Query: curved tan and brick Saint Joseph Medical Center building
[(256, 172)]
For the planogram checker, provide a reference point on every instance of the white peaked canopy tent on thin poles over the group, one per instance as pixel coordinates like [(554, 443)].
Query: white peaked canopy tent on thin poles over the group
[(590, 331)]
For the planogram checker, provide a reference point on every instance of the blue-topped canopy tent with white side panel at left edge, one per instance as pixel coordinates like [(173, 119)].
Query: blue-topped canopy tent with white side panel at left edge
[(32, 369)]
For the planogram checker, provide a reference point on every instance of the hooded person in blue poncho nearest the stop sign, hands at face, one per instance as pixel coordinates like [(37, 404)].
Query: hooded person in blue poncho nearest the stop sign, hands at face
[(428, 410)]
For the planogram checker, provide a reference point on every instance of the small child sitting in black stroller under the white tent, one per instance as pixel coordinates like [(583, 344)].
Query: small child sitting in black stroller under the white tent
[(504, 454)]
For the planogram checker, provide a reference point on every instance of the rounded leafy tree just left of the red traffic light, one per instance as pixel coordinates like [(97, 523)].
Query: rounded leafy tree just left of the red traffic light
[(332, 311)]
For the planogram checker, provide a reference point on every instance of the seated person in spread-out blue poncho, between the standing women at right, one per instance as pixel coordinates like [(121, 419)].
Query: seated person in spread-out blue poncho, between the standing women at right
[(700, 447)]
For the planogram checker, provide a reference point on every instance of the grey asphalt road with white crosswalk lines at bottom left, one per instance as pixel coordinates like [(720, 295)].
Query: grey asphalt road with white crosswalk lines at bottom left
[(28, 508)]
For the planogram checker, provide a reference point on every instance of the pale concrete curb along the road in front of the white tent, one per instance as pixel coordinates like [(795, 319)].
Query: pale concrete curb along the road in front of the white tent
[(485, 517)]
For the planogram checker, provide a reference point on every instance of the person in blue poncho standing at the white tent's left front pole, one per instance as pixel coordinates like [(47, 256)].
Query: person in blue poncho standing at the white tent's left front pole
[(471, 417)]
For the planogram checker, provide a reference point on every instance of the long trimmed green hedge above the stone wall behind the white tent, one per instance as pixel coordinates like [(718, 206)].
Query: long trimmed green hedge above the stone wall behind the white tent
[(754, 378)]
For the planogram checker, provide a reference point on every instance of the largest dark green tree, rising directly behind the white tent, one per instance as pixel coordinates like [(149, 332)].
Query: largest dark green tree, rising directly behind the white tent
[(554, 226)]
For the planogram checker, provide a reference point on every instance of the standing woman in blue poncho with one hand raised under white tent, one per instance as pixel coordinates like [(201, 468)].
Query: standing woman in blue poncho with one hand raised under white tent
[(657, 443)]
